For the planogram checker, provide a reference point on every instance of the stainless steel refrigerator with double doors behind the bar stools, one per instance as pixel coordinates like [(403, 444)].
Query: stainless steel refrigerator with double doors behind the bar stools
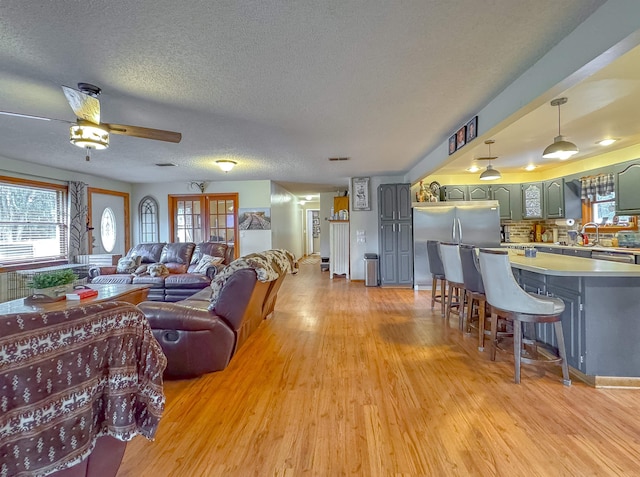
[(473, 222)]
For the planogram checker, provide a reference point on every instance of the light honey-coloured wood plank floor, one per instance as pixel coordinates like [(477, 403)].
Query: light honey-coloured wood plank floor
[(350, 380)]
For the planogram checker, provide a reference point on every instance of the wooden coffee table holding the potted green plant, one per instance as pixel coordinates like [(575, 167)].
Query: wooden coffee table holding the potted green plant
[(133, 294)]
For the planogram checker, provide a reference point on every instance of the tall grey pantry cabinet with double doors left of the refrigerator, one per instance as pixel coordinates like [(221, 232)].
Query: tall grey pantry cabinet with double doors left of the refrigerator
[(395, 235)]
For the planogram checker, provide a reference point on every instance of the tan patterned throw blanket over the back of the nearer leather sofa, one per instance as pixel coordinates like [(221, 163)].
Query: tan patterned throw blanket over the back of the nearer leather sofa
[(268, 265)]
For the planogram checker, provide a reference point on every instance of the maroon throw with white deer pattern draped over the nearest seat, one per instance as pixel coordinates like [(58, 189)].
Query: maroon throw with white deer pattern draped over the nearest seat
[(69, 377)]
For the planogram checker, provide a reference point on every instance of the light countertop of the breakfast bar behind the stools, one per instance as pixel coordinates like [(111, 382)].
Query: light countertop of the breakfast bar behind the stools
[(566, 265)]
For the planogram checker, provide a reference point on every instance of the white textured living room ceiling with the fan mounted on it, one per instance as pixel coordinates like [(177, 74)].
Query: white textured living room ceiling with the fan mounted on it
[(277, 86)]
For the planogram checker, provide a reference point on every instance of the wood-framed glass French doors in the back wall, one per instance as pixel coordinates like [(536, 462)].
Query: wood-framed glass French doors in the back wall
[(205, 218)]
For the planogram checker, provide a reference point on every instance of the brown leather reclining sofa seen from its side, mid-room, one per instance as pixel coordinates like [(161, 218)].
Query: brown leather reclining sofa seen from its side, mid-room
[(199, 337)]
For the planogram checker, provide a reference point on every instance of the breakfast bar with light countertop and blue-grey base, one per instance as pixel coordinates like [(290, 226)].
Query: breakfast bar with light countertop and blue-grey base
[(601, 321)]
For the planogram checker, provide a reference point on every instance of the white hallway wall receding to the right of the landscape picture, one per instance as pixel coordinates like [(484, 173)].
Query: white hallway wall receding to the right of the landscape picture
[(286, 221)]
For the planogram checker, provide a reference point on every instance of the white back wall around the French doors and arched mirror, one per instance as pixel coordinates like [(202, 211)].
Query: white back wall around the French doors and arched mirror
[(250, 194)]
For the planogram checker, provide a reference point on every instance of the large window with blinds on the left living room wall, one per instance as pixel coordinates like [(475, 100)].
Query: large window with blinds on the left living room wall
[(33, 221)]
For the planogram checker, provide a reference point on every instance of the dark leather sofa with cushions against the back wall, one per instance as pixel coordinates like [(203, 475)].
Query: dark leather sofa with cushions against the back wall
[(181, 260)]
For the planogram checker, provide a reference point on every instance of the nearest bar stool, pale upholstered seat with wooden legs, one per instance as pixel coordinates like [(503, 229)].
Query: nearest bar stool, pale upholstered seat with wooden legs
[(508, 299)]
